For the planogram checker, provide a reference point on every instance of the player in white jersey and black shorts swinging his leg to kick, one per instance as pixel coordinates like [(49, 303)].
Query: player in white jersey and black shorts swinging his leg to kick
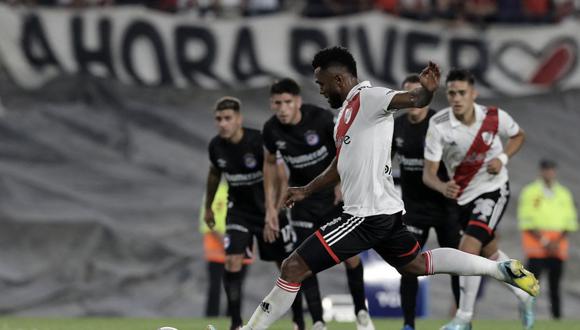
[(372, 209)]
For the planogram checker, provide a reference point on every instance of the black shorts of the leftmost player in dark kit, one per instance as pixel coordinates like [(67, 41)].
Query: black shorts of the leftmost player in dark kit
[(240, 231)]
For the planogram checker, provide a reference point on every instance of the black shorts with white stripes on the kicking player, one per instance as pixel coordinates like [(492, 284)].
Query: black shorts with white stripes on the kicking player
[(348, 235)]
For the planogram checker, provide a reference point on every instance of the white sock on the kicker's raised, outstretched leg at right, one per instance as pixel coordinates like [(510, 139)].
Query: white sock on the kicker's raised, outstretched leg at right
[(453, 261)]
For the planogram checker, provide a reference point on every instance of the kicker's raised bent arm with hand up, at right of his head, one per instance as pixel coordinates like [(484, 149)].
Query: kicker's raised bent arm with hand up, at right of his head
[(419, 97)]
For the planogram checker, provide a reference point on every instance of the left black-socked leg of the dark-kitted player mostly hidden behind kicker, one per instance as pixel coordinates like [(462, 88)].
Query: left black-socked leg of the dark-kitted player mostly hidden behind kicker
[(409, 283)]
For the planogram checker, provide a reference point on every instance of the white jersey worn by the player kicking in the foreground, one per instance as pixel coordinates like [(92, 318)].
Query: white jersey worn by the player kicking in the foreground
[(363, 133)]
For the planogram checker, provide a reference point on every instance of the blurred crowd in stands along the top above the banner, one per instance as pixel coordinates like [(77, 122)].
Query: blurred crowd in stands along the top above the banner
[(474, 11)]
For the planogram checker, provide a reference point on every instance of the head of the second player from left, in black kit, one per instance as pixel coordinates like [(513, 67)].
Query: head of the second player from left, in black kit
[(285, 101)]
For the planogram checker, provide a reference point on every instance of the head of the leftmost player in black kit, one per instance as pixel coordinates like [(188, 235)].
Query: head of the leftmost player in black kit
[(227, 116)]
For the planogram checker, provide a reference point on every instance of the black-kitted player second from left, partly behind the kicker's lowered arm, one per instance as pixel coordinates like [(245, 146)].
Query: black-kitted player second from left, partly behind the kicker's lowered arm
[(302, 134)]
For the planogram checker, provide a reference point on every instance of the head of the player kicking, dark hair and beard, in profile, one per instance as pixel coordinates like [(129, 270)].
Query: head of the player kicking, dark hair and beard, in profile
[(335, 74)]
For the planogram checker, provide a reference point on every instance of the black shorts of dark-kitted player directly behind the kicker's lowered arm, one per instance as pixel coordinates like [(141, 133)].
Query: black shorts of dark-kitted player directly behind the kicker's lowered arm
[(307, 217)]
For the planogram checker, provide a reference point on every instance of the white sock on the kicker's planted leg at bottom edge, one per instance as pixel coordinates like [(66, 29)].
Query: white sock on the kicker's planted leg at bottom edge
[(273, 306)]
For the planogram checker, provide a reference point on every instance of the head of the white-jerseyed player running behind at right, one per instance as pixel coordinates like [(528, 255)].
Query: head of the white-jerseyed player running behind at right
[(461, 92)]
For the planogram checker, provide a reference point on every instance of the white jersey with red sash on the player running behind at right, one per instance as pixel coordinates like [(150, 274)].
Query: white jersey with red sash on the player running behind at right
[(448, 140)]
